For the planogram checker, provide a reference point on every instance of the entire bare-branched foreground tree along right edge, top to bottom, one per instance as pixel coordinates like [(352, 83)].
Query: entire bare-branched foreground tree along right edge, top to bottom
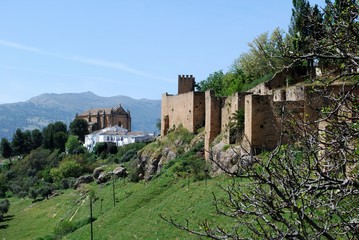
[(309, 188)]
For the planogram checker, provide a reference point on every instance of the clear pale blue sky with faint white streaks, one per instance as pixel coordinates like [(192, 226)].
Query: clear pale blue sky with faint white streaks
[(135, 48)]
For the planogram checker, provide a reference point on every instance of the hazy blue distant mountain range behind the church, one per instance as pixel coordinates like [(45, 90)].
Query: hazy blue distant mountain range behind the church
[(39, 111)]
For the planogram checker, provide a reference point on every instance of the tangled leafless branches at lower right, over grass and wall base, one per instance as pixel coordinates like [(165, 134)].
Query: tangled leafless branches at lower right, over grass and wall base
[(308, 189)]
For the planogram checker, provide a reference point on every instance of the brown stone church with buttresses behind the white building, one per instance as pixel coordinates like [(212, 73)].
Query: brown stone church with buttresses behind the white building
[(100, 118)]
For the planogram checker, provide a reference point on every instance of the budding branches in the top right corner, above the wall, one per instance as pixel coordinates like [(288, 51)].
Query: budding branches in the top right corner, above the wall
[(331, 38)]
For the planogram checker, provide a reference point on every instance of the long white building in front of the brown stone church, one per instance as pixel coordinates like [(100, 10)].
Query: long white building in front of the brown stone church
[(116, 135)]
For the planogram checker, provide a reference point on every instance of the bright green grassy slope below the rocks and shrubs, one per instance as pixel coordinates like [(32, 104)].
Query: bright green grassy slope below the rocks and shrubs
[(134, 216)]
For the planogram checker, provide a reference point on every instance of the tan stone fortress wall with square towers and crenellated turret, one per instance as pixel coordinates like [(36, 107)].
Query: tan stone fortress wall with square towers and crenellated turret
[(265, 107)]
